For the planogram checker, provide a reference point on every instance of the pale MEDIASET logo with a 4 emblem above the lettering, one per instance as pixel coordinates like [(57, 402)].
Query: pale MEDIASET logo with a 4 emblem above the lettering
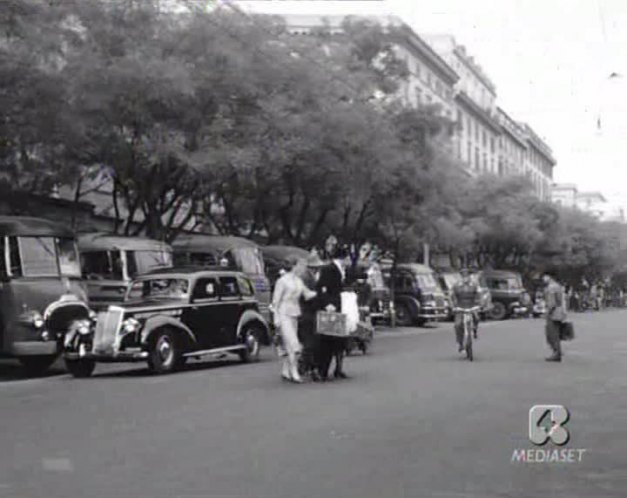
[(548, 423)]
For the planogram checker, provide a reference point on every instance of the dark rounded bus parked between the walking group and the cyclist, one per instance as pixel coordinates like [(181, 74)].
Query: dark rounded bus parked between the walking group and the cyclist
[(418, 297)]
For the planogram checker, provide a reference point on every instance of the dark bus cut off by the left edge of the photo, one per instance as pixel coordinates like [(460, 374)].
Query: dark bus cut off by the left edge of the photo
[(41, 293)]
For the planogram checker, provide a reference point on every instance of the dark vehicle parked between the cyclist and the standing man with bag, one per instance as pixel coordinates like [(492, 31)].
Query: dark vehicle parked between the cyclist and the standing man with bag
[(509, 297)]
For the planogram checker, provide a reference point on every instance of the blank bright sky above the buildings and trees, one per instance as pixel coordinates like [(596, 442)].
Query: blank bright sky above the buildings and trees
[(551, 61)]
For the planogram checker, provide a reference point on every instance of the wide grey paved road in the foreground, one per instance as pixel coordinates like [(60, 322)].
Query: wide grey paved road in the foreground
[(414, 420)]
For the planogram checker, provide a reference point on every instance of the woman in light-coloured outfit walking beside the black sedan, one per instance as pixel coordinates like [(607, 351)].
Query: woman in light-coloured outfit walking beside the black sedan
[(286, 307)]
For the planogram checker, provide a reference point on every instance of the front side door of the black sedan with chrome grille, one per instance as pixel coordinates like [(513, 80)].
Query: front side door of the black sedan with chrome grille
[(203, 316)]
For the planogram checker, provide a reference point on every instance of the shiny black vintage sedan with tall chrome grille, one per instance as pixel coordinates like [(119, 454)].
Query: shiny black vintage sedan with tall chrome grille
[(169, 316)]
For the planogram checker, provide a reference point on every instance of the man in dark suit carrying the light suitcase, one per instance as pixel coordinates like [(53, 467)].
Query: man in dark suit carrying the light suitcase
[(329, 289)]
